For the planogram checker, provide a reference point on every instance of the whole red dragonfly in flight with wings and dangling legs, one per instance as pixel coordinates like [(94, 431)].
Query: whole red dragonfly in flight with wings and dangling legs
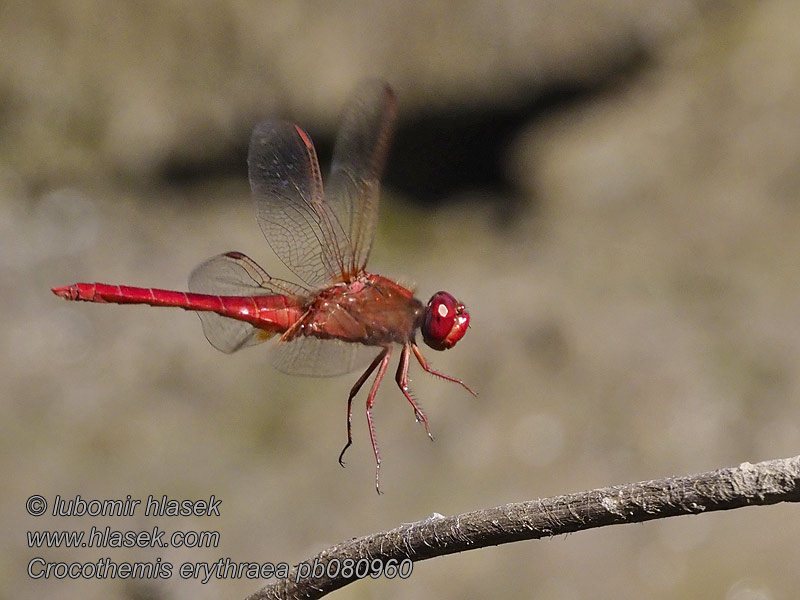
[(340, 315)]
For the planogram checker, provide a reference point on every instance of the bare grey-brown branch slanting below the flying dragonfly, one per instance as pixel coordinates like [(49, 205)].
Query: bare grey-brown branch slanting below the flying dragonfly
[(764, 483)]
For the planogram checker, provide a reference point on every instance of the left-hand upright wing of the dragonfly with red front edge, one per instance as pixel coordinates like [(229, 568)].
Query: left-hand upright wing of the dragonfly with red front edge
[(290, 205)]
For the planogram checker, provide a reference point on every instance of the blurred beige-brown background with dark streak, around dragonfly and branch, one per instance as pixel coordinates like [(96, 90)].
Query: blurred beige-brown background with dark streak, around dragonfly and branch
[(610, 187)]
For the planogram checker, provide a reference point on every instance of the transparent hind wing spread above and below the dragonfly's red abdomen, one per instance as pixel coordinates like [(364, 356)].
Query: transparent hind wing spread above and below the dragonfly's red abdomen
[(234, 274)]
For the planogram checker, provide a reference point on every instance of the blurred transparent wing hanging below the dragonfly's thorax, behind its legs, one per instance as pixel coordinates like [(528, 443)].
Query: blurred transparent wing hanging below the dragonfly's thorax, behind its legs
[(315, 357)]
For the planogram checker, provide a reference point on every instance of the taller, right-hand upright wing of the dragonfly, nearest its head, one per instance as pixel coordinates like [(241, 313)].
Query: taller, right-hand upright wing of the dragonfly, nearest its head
[(359, 156)]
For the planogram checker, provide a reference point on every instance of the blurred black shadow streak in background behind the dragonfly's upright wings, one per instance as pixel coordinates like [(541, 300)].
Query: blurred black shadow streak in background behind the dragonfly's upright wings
[(439, 155)]
